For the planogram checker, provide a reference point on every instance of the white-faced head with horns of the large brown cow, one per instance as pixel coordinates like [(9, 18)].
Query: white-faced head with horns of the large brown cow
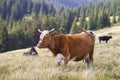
[(46, 38)]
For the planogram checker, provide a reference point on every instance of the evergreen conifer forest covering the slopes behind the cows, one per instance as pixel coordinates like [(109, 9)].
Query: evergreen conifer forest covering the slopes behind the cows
[(20, 19)]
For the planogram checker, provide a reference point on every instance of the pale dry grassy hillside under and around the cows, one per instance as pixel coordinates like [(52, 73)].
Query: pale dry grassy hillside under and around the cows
[(15, 66)]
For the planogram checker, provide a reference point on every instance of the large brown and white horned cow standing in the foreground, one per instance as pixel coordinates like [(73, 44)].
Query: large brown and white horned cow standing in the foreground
[(71, 47)]
